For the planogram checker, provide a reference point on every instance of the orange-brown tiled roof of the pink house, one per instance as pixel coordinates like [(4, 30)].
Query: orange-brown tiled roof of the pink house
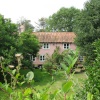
[(55, 36)]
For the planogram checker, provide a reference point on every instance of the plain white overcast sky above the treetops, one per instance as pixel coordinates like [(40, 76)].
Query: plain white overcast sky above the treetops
[(35, 9)]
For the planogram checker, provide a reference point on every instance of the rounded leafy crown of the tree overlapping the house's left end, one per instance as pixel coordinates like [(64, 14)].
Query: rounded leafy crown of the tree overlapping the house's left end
[(29, 42)]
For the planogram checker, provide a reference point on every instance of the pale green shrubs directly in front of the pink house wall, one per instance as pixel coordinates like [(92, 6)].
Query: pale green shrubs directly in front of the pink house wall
[(58, 59)]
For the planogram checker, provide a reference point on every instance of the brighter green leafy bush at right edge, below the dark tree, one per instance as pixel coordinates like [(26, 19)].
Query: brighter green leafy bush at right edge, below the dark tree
[(93, 73)]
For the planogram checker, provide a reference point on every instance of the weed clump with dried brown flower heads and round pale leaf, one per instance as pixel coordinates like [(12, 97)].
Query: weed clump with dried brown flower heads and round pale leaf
[(10, 88)]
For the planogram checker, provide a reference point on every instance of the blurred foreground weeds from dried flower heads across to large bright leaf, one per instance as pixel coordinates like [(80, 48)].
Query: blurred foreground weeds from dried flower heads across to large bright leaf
[(28, 93)]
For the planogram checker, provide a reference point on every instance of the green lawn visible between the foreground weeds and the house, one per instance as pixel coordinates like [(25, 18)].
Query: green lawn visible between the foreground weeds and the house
[(43, 80)]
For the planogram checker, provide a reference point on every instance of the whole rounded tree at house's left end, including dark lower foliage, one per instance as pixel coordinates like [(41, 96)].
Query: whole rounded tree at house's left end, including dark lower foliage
[(28, 46)]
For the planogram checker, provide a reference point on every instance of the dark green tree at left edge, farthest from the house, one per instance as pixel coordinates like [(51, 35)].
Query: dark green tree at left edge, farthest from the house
[(8, 37)]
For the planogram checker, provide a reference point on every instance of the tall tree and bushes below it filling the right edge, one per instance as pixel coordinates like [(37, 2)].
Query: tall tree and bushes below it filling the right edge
[(88, 41)]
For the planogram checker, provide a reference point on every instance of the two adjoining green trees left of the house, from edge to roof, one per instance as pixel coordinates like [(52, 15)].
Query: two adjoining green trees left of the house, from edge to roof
[(12, 43)]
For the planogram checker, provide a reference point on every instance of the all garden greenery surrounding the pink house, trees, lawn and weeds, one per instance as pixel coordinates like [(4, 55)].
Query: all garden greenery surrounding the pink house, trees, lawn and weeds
[(58, 79)]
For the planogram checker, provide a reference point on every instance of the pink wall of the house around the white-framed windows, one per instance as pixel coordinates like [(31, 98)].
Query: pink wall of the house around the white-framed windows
[(51, 50)]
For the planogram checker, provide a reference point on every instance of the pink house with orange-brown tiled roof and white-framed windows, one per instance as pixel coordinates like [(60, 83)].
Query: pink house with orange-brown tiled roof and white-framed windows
[(51, 40)]
